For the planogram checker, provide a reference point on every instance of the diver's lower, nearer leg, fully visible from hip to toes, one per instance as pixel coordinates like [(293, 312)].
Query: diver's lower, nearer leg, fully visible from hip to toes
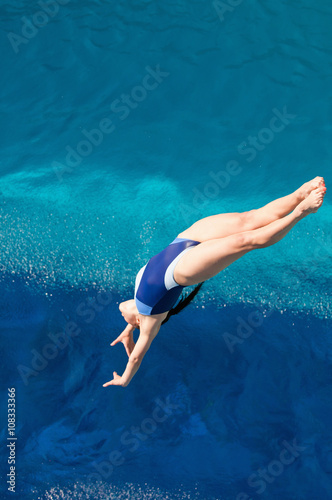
[(210, 257)]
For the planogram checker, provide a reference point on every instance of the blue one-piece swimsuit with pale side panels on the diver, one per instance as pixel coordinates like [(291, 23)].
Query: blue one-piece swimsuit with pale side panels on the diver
[(156, 291)]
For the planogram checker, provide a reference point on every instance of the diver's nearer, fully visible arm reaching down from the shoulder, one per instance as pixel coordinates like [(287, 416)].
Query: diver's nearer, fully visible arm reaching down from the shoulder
[(148, 331)]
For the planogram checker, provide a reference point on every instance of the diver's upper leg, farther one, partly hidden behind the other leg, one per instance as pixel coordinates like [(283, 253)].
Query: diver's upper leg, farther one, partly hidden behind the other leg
[(222, 225)]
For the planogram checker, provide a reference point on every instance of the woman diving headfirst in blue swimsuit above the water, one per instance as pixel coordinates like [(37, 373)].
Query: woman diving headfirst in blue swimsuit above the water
[(196, 255)]
